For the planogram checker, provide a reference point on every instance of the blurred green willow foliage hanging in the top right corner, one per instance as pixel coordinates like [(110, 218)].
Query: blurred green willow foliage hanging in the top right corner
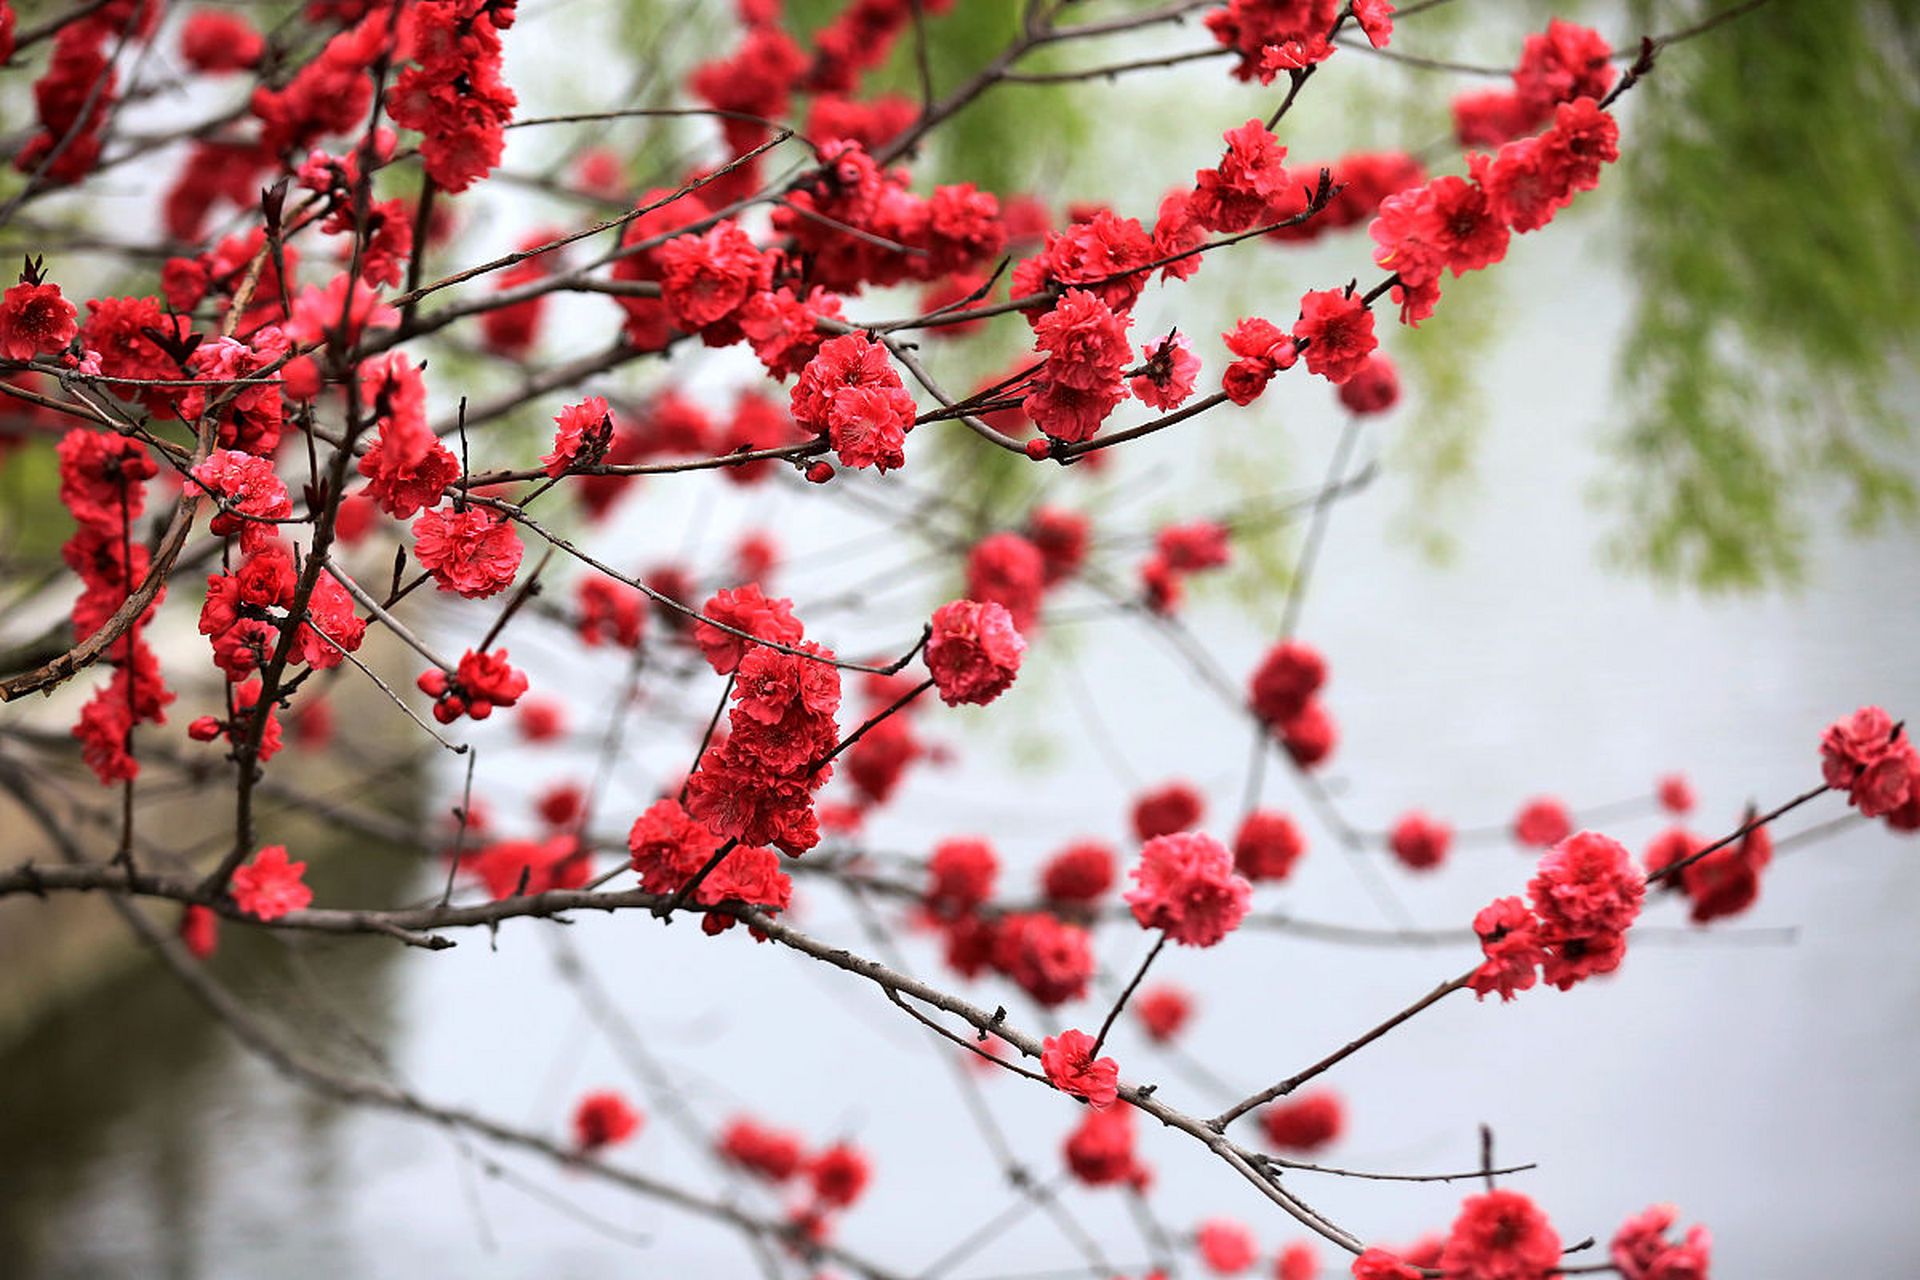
[(1773, 202)]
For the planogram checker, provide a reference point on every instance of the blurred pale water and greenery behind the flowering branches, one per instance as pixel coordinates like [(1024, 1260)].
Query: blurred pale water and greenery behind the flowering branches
[(1644, 508)]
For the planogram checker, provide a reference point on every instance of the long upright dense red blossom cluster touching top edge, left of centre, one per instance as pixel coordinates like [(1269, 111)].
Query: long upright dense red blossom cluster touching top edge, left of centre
[(454, 95)]
